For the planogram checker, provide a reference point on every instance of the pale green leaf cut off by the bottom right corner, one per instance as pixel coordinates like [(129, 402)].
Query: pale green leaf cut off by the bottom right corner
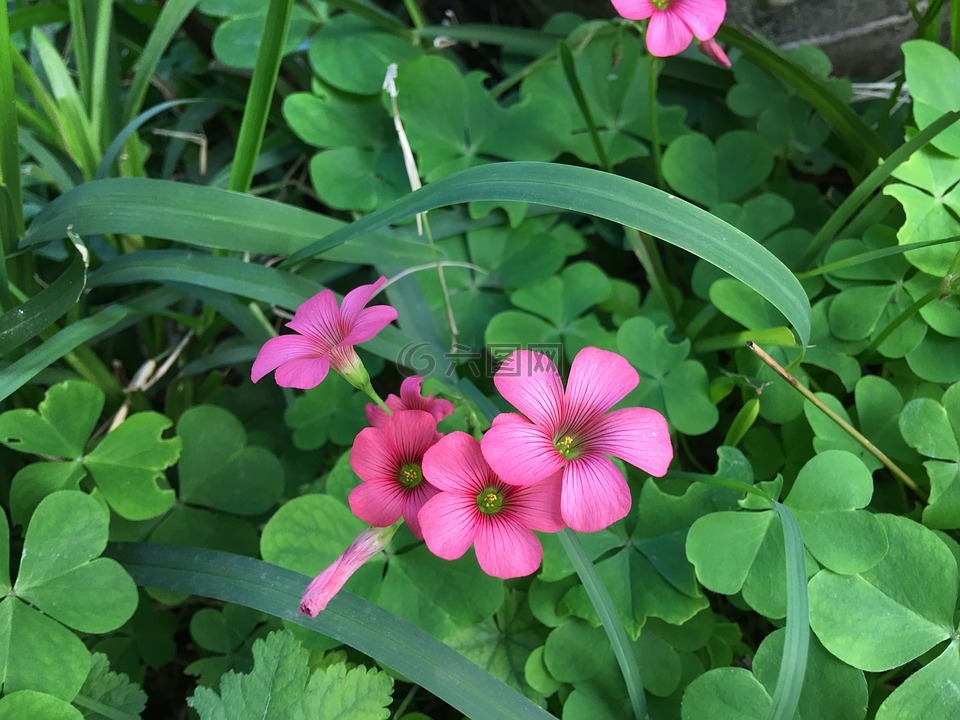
[(934, 688)]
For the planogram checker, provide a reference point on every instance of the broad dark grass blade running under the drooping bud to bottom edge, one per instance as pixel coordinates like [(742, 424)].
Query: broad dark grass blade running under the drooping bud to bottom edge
[(352, 620)]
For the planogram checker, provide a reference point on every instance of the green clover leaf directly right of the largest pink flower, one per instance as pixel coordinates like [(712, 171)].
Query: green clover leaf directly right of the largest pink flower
[(669, 382)]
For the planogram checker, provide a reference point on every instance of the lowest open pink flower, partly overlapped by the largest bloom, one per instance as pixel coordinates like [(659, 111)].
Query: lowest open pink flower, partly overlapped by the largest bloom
[(475, 507)]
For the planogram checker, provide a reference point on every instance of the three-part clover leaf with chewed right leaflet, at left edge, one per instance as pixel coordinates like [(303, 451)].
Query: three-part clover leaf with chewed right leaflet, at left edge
[(125, 465)]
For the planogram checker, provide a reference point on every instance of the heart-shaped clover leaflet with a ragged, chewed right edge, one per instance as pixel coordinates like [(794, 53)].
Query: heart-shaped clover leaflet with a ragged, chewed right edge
[(128, 463)]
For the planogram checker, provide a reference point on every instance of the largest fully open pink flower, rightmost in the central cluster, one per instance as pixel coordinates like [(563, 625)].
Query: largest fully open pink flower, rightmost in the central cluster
[(571, 431)]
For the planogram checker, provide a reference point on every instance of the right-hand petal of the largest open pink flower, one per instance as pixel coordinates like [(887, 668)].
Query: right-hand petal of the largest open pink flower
[(637, 435)]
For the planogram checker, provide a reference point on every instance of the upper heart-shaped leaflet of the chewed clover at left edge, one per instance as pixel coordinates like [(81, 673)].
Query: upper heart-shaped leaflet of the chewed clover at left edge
[(61, 424)]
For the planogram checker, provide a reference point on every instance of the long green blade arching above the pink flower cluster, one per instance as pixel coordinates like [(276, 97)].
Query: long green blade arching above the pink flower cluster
[(614, 198)]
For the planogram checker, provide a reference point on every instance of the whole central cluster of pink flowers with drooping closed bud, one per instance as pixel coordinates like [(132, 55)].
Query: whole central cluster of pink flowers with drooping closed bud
[(545, 469)]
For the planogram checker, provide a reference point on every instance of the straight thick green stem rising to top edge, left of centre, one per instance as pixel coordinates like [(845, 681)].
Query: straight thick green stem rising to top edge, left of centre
[(262, 84)]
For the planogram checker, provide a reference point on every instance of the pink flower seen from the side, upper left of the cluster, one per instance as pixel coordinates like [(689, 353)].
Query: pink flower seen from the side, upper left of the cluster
[(326, 338)]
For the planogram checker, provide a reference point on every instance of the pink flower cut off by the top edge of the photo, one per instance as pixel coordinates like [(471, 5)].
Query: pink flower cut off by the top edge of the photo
[(674, 23)]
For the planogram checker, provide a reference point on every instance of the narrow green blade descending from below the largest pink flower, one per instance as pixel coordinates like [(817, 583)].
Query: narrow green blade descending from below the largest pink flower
[(597, 592)]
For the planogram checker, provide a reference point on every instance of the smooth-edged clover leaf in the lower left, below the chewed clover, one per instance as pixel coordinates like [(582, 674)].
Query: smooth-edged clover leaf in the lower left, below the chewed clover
[(61, 579)]
